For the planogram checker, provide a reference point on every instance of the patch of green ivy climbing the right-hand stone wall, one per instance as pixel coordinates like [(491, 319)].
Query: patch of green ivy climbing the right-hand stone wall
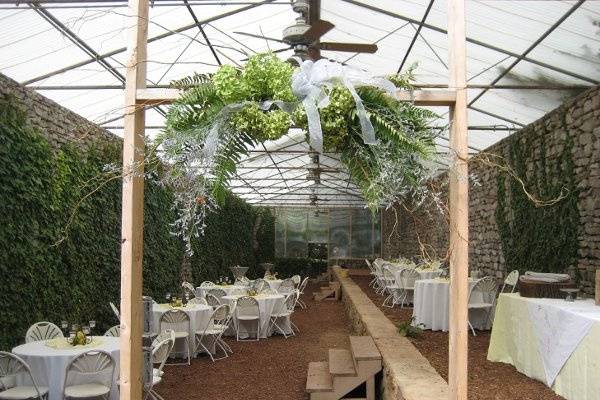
[(538, 237)]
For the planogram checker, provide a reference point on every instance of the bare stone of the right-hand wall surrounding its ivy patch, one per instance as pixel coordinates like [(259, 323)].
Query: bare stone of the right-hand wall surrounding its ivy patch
[(578, 118)]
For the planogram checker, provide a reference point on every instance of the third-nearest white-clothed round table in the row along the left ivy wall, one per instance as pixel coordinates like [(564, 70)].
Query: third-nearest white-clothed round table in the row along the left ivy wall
[(266, 305)]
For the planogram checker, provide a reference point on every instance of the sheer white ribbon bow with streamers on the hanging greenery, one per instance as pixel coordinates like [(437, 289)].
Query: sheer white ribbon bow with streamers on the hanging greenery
[(309, 83)]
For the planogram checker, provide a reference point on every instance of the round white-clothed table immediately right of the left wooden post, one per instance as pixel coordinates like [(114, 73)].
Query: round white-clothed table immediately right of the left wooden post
[(199, 314)]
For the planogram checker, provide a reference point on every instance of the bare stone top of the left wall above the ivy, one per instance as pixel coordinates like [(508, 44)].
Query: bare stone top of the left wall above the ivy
[(59, 124)]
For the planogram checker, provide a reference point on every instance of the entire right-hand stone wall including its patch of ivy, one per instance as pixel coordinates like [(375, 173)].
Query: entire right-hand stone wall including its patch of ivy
[(560, 151)]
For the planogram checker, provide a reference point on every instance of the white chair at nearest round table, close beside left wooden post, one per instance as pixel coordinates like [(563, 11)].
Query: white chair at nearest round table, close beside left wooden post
[(94, 366)]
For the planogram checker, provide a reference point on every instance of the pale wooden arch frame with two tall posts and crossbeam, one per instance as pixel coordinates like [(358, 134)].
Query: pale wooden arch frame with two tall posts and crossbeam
[(137, 96)]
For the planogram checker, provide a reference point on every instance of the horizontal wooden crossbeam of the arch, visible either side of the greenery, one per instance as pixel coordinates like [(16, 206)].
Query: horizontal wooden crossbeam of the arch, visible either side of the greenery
[(419, 97)]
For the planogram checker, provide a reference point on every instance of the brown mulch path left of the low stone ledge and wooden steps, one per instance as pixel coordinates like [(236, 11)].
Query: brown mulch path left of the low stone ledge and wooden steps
[(273, 368)]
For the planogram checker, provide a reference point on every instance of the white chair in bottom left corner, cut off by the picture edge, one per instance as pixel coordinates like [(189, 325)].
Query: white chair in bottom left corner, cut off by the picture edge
[(16, 380)]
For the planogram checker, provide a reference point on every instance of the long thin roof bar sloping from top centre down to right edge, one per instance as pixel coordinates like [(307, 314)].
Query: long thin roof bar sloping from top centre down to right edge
[(474, 41)]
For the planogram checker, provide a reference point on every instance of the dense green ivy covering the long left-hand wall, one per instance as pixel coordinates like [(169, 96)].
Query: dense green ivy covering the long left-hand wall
[(56, 264)]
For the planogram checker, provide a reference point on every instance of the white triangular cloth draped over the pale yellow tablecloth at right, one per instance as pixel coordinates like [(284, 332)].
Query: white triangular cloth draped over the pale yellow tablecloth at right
[(559, 329)]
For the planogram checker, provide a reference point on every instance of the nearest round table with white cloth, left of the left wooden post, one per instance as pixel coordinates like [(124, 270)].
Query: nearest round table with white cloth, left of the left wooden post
[(48, 364)]
